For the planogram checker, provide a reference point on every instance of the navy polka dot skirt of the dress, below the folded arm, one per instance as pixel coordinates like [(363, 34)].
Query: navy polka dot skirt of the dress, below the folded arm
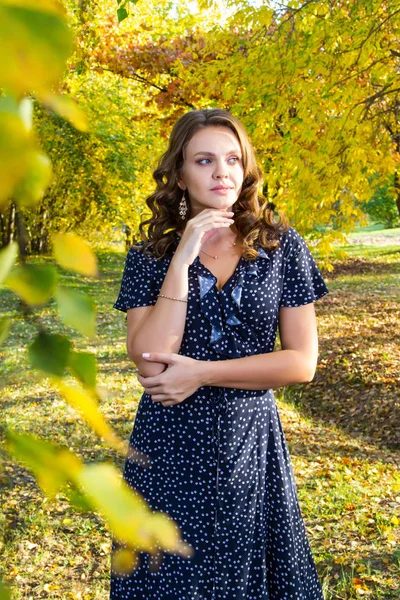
[(220, 468)]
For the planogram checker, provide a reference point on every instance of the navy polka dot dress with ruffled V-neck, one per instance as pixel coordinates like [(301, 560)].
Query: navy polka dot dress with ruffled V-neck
[(219, 462)]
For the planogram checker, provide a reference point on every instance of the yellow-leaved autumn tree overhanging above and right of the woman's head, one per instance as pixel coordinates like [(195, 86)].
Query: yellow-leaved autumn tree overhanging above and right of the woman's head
[(310, 80)]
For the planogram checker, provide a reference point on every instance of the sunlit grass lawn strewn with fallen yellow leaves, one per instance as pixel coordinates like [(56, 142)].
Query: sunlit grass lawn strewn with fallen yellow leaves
[(341, 430)]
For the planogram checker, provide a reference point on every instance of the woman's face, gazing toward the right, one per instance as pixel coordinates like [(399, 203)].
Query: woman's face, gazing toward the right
[(212, 173)]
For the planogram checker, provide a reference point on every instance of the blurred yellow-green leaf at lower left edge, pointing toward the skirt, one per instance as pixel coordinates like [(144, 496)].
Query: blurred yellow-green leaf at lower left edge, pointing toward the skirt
[(52, 465)]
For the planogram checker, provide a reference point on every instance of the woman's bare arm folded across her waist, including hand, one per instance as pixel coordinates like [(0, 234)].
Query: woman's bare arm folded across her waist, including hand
[(295, 363)]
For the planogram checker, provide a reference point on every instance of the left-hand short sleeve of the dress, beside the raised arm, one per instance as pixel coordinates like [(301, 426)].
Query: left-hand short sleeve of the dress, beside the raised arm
[(139, 282)]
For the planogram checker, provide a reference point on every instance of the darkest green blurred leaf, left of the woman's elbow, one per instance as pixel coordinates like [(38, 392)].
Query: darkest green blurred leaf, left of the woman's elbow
[(49, 352)]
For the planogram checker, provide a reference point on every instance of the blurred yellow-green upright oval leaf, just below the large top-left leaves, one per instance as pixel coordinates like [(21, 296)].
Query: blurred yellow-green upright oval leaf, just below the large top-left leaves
[(35, 181)]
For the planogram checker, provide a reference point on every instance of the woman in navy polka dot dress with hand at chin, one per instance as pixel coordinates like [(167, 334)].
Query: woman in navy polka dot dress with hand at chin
[(204, 294)]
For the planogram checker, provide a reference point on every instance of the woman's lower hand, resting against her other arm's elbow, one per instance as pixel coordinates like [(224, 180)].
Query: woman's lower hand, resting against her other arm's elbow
[(180, 380)]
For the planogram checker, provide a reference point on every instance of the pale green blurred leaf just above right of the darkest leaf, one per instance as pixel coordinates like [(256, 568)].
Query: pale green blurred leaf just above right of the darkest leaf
[(76, 309)]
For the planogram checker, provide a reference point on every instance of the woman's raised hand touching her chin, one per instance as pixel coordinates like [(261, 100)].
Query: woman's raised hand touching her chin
[(198, 230)]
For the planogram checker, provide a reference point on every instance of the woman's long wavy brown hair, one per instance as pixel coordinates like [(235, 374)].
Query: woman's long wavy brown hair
[(254, 217)]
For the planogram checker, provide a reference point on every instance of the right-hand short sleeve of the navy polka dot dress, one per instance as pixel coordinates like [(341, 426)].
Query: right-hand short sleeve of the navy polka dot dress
[(302, 280)]
